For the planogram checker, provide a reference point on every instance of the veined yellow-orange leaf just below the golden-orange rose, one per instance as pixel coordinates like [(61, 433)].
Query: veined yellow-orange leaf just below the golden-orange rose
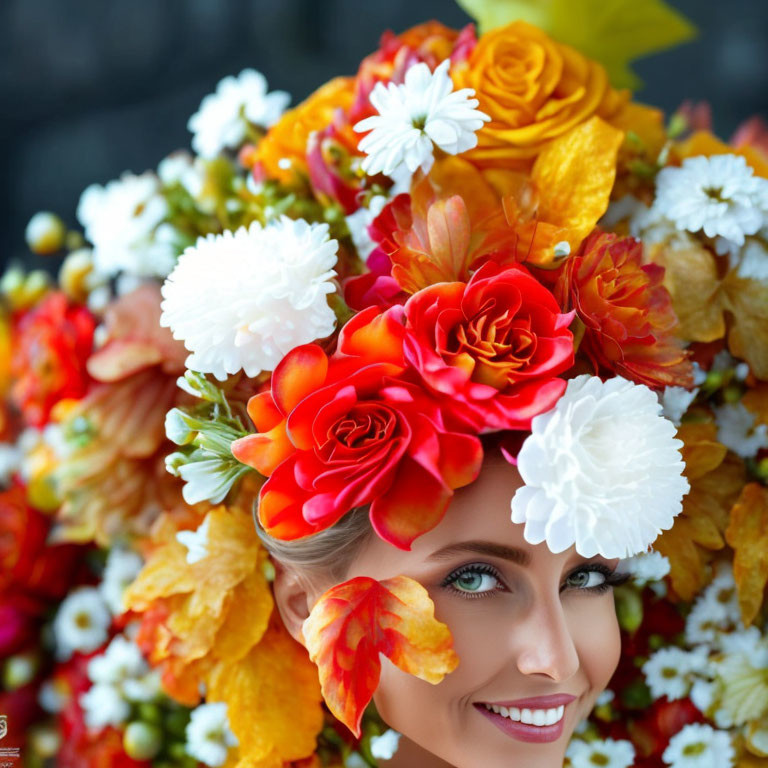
[(575, 175)]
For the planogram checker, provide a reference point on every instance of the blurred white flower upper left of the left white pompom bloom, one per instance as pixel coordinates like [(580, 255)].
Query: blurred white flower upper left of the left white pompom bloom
[(120, 220)]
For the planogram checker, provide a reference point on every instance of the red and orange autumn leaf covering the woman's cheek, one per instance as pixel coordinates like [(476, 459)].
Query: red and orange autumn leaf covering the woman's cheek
[(354, 622)]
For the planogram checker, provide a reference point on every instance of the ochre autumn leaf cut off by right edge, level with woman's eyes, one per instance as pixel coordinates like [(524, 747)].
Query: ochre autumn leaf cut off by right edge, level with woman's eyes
[(747, 534)]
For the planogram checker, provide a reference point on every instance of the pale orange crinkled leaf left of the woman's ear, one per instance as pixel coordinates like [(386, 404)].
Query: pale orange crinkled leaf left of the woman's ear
[(192, 613)]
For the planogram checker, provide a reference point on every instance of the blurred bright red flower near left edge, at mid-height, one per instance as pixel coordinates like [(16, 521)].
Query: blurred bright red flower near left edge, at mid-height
[(50, 348)]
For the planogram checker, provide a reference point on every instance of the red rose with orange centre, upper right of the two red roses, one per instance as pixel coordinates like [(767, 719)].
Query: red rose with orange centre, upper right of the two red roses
[(494, 345)]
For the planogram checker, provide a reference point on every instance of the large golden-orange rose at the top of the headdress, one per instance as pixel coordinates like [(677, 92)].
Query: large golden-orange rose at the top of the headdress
[(534, 89)]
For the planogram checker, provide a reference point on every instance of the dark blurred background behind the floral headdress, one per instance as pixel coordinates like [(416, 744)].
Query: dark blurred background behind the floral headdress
[(91, 88)]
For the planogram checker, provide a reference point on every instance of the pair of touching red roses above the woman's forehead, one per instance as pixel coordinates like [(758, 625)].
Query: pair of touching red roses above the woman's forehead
[(391, 418)]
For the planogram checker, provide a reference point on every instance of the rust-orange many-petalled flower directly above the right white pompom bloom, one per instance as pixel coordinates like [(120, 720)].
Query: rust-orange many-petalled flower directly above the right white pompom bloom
[(627, 312)]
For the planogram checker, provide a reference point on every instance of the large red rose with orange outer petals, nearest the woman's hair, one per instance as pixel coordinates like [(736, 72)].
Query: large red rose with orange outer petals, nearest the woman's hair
[(347, 431)]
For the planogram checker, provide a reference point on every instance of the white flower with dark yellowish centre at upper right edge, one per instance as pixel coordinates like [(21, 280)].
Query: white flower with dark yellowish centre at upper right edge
[(718, 194)]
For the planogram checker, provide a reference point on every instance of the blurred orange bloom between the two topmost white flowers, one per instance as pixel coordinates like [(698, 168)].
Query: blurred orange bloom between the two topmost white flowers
[(282, 152)]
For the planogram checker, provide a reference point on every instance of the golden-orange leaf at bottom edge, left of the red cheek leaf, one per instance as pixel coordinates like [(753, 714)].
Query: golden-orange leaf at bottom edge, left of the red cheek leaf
[(273, 698)]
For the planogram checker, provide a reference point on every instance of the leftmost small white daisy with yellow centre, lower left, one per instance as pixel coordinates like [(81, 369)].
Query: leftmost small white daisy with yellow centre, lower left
[(81, 623)]
